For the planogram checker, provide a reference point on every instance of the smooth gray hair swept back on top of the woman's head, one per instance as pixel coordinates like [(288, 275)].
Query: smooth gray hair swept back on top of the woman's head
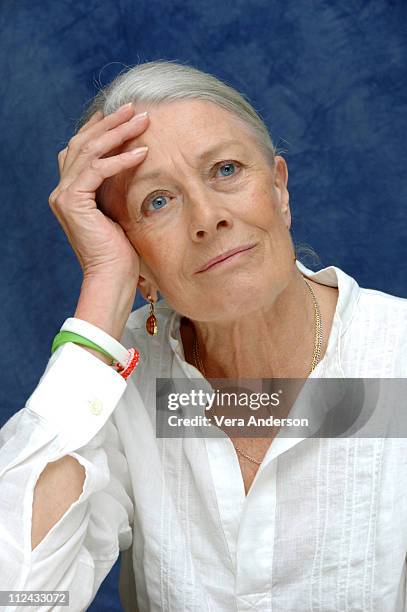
[(166, 81)]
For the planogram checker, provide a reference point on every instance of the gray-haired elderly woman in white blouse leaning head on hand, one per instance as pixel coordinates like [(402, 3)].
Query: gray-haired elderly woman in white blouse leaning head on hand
[(173, 185)]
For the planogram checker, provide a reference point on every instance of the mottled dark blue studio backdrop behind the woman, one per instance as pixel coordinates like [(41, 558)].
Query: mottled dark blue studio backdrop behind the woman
[(329, 78)]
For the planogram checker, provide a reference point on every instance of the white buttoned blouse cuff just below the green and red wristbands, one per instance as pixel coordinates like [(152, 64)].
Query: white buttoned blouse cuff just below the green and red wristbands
[(76, 395)]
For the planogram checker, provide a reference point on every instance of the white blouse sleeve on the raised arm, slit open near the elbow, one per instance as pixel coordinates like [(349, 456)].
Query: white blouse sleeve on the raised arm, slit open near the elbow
[(67, 414)]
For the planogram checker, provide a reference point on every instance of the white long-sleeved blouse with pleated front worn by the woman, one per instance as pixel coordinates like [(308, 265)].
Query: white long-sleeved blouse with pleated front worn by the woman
[(323, 527)]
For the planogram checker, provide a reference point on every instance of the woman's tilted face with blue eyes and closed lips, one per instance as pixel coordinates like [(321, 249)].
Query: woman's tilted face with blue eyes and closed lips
[(205, 188)]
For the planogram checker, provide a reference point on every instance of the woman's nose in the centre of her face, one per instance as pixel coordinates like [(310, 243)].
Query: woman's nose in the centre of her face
[(208, 214)]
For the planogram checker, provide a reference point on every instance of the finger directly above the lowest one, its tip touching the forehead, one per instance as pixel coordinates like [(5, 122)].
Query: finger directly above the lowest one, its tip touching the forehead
[(105, 145)]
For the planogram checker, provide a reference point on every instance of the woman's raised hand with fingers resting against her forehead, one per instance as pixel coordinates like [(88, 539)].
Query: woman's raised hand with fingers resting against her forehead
[(100, 244)]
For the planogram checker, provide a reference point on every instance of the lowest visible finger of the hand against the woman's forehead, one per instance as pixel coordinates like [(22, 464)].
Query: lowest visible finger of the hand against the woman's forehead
[(100, 169)]
